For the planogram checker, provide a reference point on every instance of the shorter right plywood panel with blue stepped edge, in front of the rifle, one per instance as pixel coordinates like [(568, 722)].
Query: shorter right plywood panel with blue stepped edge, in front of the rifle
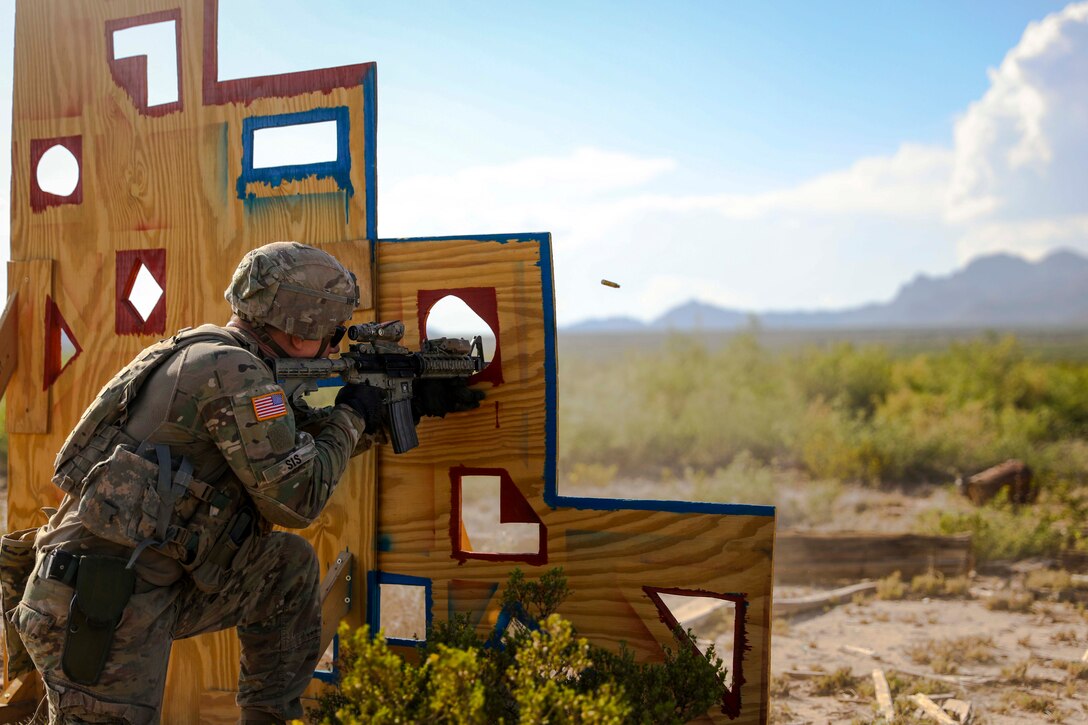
[(615, 554)]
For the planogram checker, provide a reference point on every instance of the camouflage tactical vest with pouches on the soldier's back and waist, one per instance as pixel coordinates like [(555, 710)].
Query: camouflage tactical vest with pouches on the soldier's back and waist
[(133, 494)]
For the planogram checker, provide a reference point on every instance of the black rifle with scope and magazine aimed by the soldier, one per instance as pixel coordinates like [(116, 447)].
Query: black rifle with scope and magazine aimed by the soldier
[(376, 358)]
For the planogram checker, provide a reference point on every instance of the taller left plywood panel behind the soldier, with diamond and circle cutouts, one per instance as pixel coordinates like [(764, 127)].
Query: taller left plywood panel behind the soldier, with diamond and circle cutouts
[(166, 182)]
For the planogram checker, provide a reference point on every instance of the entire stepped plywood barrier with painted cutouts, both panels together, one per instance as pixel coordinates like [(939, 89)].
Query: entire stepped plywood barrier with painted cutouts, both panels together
[(174, 188)]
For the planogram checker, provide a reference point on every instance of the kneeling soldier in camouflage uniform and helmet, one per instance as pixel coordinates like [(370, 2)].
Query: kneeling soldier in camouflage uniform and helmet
[(174, 478)]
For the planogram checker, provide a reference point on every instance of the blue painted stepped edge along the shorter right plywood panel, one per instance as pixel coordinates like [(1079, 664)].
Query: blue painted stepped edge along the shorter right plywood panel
[(552, 497)]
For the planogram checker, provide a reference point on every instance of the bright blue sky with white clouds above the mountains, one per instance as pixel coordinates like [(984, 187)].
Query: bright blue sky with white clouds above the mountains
[(761, 156)]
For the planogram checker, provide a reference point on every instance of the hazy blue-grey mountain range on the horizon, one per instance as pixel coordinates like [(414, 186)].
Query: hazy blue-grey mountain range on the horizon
[(995, 291)]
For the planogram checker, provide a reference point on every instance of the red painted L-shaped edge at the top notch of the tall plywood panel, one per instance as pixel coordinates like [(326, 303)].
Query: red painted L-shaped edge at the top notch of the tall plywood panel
[(246, 91)]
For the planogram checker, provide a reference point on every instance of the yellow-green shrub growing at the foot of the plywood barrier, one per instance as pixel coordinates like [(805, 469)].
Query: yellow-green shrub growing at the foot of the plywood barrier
[(542, 672)]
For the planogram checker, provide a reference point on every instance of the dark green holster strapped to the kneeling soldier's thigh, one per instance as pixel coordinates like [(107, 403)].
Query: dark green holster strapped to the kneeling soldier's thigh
[(103, 588)]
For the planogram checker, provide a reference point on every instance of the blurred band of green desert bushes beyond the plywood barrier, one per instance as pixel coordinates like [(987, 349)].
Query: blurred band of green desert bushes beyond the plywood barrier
[(848, 413)]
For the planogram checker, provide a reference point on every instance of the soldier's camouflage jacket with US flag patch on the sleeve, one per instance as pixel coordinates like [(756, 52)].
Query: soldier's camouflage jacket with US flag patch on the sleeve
[(219, 407)]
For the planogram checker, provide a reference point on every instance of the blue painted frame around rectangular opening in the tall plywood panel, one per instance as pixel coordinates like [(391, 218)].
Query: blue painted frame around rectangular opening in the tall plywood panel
[(339, 170)]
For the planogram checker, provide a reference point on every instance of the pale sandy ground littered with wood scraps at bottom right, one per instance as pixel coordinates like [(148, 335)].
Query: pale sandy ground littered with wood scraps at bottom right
[(1024, 677)]
